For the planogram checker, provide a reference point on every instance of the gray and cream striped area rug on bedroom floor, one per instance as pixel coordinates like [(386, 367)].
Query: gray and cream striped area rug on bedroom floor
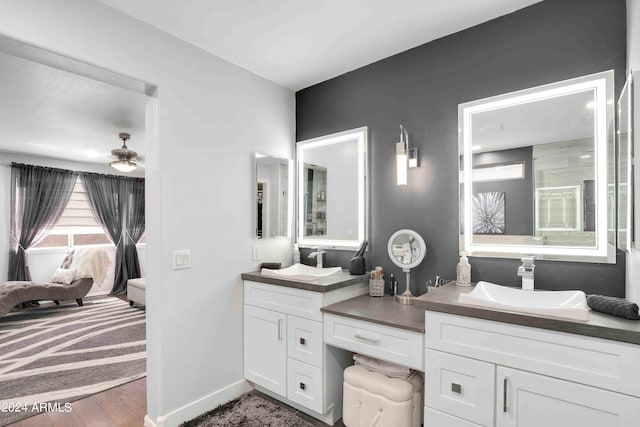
[(57, 354)]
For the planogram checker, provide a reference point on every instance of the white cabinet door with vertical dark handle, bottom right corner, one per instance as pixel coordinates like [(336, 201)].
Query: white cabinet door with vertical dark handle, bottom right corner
[(531, 400)]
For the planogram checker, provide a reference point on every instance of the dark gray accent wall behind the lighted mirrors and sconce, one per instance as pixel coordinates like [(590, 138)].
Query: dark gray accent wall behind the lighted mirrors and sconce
[(421, 88)]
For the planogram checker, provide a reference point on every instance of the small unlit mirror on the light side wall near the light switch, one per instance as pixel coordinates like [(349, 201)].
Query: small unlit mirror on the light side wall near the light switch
[(273, 197)]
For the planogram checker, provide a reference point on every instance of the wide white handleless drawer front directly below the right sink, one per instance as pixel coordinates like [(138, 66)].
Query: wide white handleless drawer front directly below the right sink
[(607, 364)]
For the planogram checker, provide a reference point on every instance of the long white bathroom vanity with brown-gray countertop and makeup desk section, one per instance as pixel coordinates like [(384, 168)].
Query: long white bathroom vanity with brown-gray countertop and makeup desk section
[(483, 367)]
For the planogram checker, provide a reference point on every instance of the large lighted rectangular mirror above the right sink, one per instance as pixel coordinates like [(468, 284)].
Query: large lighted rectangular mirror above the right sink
[(537, 172)]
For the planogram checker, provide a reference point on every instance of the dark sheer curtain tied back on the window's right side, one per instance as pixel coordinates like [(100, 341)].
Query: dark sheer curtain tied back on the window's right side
[(118, 204)]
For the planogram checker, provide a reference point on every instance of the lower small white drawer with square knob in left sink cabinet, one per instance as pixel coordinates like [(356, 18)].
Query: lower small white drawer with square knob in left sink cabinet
[(304, 385)]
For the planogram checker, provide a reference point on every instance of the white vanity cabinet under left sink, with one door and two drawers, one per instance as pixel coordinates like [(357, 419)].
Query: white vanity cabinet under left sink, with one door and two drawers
[(284, 353)]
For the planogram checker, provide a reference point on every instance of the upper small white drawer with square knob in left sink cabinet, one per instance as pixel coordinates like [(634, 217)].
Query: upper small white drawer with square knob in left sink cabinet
[(304, 340)]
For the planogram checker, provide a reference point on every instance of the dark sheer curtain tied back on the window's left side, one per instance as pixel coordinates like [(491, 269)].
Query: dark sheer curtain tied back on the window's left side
[(38, 198)]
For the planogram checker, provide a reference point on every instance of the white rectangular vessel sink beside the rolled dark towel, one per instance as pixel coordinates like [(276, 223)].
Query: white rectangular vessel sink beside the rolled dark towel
[(566, 304)]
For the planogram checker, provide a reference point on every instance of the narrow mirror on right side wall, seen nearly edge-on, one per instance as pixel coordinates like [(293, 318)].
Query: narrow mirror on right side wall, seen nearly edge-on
[(625, 166)]
